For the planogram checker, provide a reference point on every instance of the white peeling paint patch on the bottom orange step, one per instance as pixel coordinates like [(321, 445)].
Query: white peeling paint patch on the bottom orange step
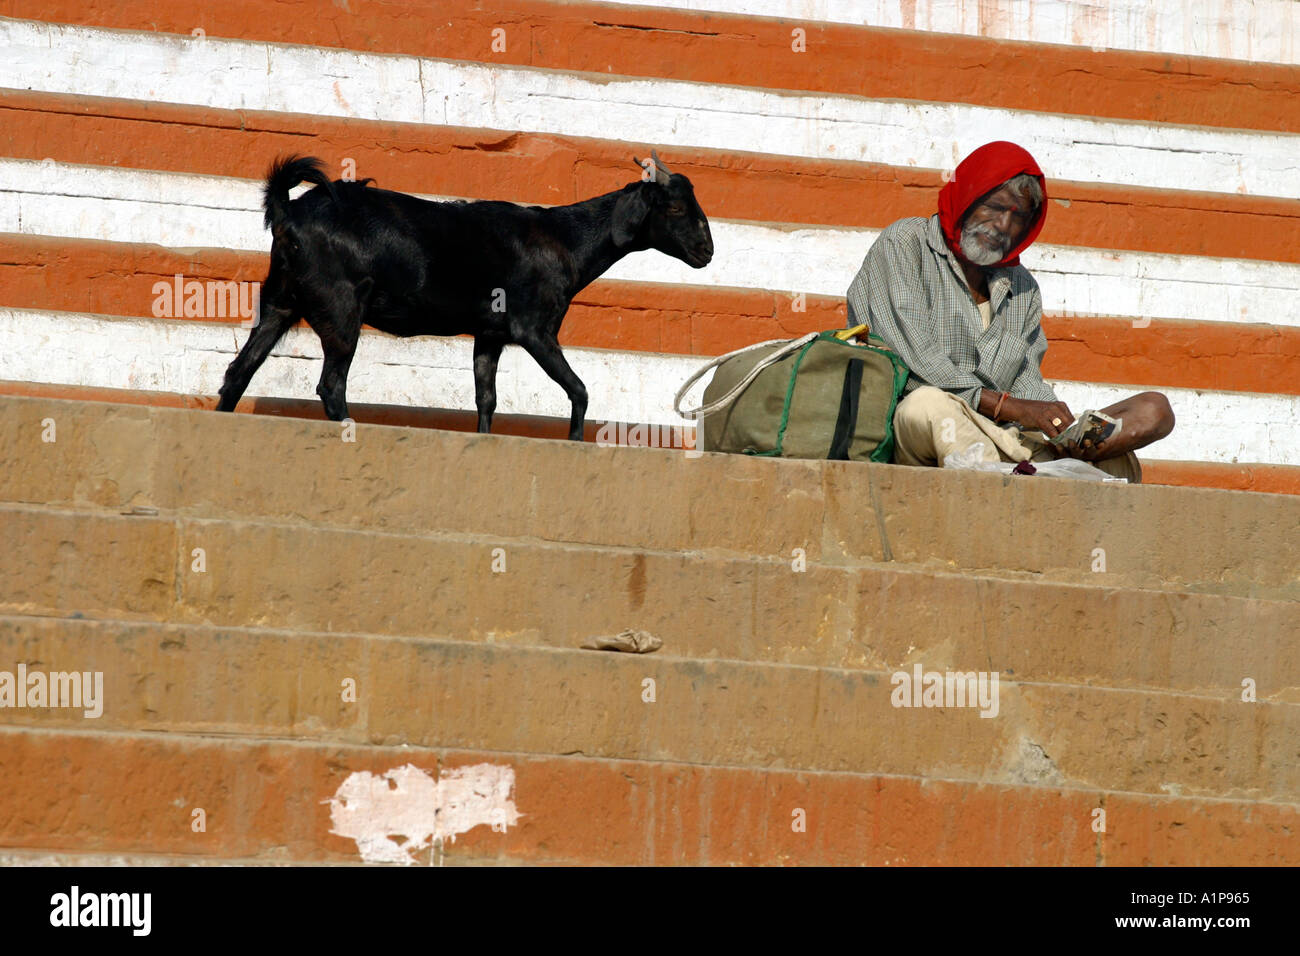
[(397, 815)]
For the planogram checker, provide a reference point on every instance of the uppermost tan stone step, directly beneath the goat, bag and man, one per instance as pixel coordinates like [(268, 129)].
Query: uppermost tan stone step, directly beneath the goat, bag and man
[(837, 513)]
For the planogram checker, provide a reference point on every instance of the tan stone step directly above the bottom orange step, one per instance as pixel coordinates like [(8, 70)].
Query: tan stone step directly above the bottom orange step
[(435, 694)]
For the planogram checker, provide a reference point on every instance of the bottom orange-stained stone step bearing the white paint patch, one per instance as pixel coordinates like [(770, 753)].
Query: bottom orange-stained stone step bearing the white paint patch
[(275, 802)]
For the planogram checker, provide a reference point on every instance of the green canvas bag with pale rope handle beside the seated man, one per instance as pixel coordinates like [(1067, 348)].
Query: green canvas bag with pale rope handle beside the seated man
[(820, 396)]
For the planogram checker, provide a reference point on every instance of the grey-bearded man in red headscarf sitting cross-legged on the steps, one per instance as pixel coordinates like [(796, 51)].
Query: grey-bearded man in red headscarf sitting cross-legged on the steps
[(950, 296)]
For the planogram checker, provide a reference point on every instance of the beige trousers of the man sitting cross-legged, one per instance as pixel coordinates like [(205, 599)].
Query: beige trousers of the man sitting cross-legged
[(931, 423)]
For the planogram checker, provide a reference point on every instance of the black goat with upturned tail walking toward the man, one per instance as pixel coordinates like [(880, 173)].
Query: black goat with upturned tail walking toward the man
[(345, 256)]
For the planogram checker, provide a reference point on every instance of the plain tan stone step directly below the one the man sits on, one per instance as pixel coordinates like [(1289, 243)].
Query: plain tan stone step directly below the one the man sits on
[(703, 605)]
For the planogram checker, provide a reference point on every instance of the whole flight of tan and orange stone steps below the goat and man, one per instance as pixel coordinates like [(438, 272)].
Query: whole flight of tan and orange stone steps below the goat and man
[(328, 647)]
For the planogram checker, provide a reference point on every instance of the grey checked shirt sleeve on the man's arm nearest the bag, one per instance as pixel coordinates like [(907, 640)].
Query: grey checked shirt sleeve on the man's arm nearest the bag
[(889, 296)]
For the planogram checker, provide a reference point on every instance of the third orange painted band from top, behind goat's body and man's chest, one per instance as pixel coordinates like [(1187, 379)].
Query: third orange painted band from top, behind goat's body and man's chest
[(50, 274)]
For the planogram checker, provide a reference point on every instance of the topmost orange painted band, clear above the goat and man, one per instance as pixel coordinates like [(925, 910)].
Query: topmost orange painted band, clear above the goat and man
[(748, 51)]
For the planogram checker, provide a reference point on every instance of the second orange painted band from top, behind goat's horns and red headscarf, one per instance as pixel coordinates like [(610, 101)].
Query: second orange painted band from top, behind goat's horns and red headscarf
[(541, 168)]
